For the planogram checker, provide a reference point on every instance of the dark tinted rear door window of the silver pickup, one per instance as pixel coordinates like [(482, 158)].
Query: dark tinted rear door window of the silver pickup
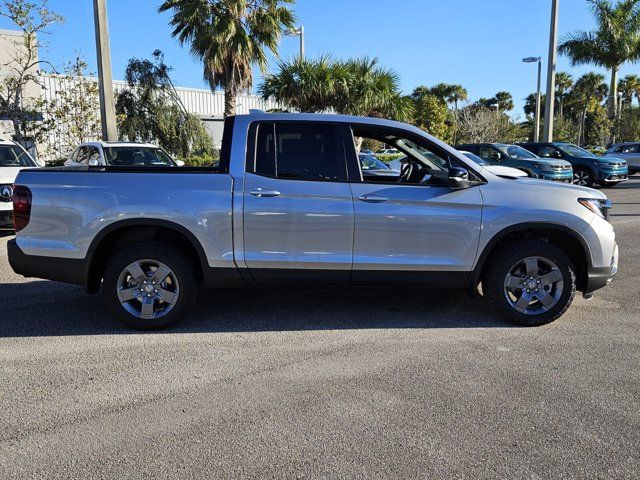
[(310, 151)]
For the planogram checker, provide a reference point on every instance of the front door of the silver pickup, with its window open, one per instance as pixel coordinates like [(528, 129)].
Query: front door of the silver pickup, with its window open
[(414, 229)]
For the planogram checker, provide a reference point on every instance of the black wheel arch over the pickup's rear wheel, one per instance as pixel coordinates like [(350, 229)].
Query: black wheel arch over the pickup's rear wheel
[(133, 230)]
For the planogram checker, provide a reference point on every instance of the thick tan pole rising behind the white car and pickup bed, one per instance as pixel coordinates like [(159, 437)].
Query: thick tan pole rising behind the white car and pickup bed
[(105, 80)]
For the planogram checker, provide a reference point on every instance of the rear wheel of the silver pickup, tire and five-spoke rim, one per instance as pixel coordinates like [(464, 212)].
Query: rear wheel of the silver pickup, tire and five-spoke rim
[(149, 285)]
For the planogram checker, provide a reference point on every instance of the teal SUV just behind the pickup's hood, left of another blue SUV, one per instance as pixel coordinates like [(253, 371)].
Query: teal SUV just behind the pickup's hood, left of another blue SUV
[(517, 157)]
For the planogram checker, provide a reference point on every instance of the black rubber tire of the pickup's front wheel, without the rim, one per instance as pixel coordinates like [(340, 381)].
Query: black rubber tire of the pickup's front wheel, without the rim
[(498, 268)]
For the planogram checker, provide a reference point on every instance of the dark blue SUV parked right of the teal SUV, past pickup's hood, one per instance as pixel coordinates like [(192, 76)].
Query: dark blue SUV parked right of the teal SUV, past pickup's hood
[(588, 169)]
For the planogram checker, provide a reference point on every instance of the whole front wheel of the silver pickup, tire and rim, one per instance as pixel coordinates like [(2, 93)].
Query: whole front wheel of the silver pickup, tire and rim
[(531, 282)]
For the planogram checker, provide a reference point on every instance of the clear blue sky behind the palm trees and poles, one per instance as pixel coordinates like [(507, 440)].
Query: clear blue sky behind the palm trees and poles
[(476, 43)]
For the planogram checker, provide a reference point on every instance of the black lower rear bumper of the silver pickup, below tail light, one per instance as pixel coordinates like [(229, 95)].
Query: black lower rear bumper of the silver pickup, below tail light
[(67, 270)]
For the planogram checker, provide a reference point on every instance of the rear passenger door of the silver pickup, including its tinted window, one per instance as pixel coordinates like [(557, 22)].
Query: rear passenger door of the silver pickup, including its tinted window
[(298, 209)]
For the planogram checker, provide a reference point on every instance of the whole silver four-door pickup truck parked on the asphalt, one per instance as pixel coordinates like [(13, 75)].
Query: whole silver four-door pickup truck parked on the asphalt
[(289, 205)]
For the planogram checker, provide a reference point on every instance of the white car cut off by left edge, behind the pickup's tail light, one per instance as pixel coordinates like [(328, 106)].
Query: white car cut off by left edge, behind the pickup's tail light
[(13, 158)]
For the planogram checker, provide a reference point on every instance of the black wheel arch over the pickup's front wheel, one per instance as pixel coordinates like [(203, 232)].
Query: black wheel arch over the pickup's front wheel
[(566, 238)]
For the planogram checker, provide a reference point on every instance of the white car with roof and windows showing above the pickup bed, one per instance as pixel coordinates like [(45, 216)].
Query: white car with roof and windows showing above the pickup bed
[(121, 154)]
